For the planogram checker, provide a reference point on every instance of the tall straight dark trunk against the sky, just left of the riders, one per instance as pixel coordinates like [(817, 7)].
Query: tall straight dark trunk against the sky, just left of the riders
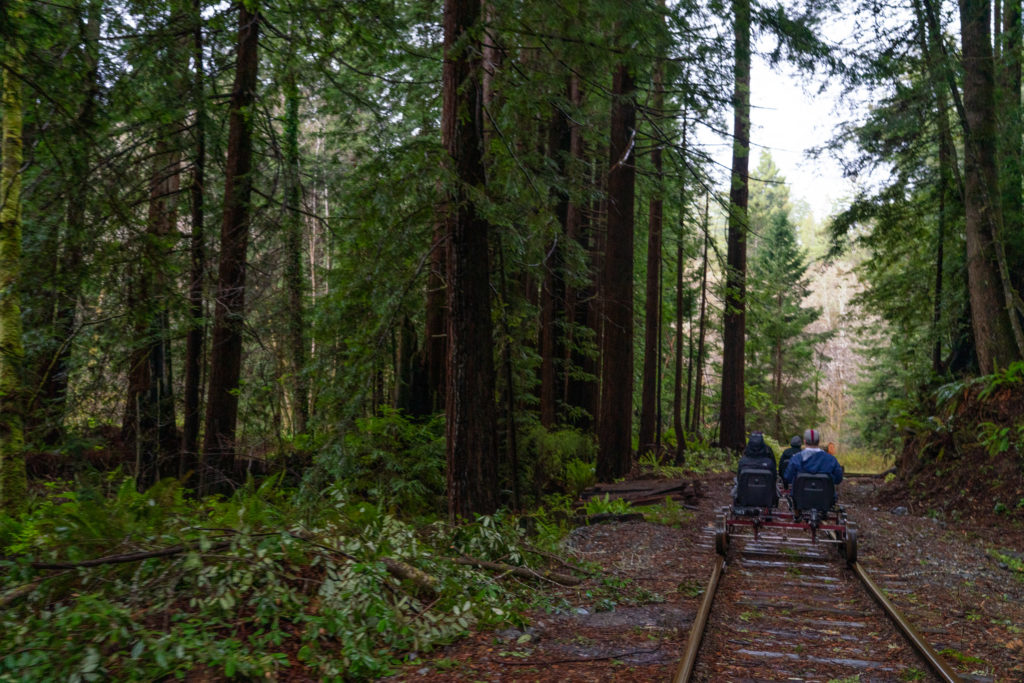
[(734, 409)]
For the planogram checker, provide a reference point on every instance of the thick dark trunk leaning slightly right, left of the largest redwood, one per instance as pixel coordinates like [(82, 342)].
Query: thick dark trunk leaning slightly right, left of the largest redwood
[(229, 321)]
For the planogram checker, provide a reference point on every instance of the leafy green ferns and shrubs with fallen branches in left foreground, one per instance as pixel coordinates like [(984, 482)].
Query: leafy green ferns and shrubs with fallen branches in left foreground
[(148, 586)]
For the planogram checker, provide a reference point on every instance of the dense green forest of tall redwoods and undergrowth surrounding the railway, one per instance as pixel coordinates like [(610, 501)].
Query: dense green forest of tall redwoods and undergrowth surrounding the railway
[(324, 285)]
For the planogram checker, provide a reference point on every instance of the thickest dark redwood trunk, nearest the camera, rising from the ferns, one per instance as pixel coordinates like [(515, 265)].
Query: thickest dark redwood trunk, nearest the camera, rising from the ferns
[(473, 473)]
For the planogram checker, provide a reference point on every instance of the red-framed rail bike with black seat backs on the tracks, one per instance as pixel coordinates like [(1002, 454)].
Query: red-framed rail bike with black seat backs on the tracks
[(809, 506)]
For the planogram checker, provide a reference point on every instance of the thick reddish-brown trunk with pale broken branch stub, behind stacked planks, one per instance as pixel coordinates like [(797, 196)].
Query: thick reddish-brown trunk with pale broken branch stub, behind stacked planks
[(615, 423)]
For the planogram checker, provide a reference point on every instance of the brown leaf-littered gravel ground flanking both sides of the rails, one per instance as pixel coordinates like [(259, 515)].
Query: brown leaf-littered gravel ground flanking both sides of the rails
[(962, 571)]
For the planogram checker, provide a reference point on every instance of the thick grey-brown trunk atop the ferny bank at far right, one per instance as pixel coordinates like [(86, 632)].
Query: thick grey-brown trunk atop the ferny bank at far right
[(991, 320)]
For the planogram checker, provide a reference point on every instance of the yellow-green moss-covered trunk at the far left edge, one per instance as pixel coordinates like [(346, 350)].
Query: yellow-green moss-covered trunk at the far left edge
[(13, 476)]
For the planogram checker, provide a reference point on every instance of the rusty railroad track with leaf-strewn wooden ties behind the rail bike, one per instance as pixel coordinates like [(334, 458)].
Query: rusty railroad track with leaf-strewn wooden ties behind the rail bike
[(782, 608)]
